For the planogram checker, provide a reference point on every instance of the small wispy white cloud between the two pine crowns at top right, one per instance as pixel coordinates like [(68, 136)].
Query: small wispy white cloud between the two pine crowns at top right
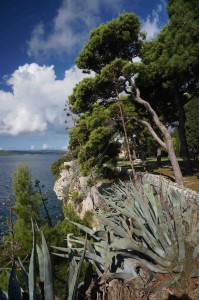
[(151, 25)]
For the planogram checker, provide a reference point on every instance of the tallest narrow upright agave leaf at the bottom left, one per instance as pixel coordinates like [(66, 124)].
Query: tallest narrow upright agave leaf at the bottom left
[(32, 268)]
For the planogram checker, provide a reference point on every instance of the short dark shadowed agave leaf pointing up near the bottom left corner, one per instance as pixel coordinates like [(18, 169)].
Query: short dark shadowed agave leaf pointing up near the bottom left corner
[(14, 290)]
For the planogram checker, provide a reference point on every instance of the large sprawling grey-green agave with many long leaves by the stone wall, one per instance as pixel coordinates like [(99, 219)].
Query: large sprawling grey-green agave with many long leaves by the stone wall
[(146, 237)]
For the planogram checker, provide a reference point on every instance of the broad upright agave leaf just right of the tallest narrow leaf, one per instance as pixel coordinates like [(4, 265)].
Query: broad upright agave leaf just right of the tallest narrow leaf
[(48, 281)]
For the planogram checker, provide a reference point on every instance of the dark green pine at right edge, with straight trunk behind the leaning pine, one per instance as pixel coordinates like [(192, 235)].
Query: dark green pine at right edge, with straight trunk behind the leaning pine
[(170, 64)]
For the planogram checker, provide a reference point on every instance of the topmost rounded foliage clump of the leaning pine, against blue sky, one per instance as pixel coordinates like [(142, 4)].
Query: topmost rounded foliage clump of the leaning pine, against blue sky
[(118, 38)]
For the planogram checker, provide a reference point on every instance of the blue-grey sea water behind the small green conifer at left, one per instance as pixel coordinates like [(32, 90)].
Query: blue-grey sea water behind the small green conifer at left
[(39, 165)]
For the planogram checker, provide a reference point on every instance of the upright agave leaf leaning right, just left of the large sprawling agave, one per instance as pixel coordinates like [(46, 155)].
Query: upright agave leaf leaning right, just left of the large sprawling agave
[(76, 273)]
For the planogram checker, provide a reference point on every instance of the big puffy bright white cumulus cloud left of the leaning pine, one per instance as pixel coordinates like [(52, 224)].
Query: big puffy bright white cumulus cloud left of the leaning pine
[(37, 99)]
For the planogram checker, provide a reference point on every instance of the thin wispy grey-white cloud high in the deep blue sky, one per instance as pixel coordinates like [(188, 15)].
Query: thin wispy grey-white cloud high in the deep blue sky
[(70, 27)]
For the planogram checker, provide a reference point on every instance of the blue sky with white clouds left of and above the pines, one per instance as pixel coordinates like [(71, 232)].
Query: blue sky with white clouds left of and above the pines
[(39, 41)]
